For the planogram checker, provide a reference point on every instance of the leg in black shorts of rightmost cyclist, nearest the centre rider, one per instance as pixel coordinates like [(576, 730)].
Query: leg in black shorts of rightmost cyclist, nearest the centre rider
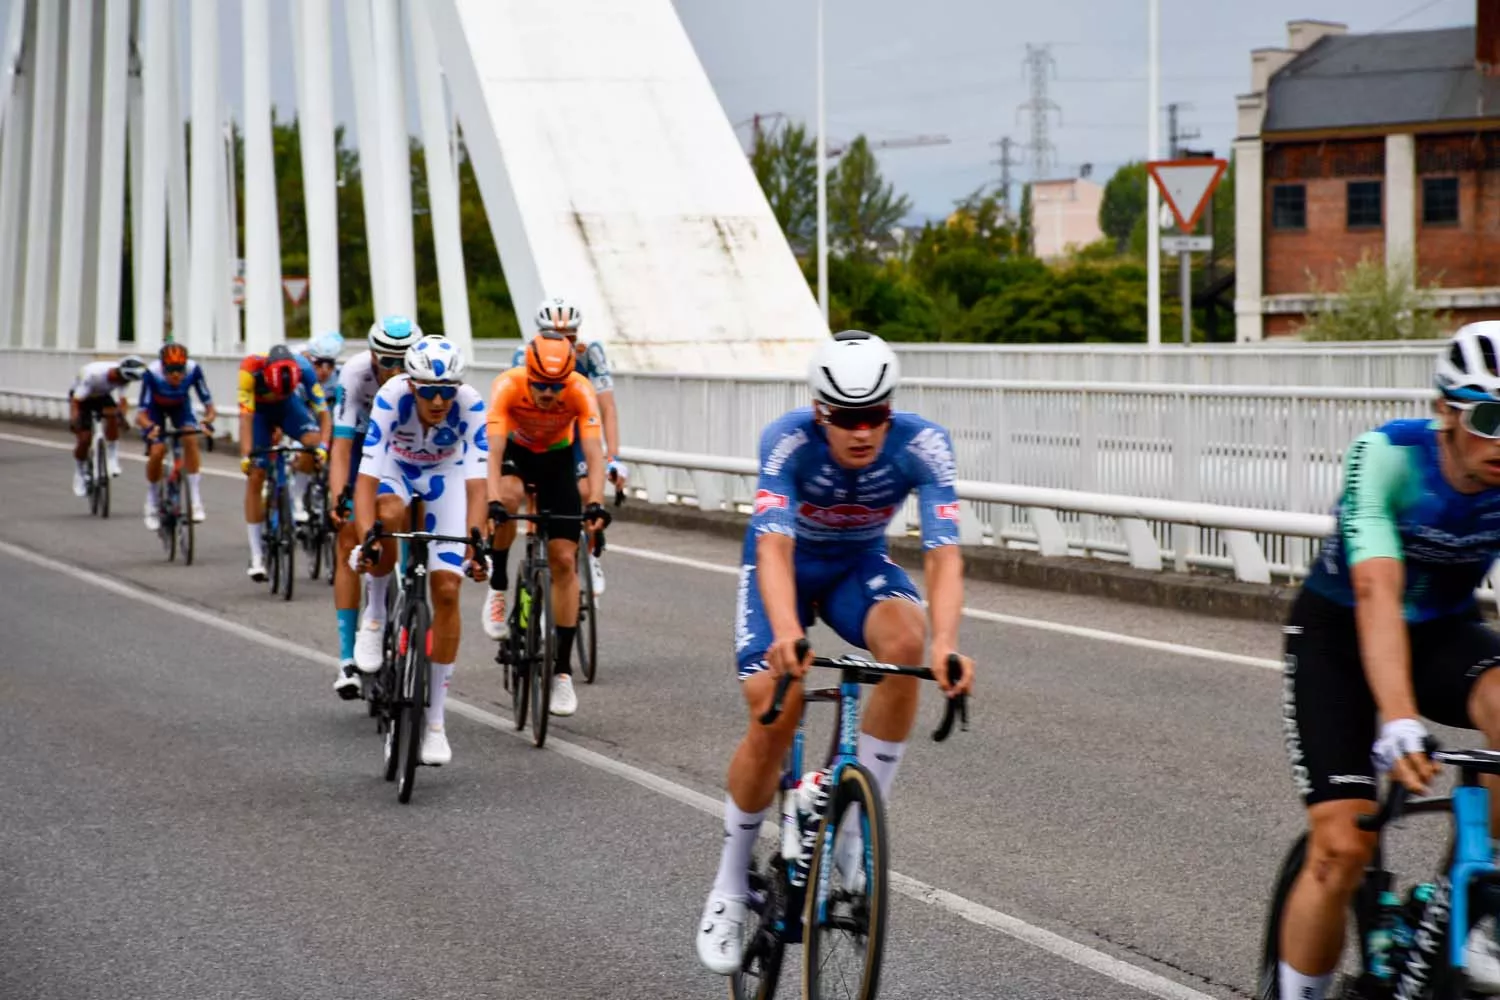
[(1328, 728)]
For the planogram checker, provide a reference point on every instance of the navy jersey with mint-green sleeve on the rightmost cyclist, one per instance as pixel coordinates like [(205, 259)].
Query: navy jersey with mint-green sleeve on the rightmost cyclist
[(1397, 504)]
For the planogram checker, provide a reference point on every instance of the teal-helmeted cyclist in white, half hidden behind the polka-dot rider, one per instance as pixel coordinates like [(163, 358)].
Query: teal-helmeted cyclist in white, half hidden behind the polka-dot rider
[(359, 380)]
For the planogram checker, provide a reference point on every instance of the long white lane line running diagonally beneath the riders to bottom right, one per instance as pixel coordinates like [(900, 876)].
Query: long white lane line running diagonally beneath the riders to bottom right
[(977, 914)]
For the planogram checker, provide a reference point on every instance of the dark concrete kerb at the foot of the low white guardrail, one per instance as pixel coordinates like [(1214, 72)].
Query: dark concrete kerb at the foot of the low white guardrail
[(1202, 593)]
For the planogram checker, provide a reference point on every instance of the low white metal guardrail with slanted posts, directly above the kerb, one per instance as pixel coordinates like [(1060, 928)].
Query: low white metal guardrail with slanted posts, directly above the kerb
[(721, 482)]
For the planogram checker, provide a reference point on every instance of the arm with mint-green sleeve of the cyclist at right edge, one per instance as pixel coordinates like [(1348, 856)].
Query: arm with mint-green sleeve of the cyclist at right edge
[(1375, 472)]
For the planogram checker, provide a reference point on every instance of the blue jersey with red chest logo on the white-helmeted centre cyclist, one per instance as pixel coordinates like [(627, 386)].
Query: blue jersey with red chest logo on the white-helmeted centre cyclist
[(832, 510)]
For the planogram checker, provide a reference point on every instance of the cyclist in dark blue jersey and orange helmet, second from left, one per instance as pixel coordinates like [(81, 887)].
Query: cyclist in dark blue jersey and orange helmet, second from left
[(164, 401)]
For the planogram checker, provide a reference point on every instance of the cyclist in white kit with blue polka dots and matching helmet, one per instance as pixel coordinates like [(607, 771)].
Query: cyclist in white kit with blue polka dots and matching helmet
[(427, 442)]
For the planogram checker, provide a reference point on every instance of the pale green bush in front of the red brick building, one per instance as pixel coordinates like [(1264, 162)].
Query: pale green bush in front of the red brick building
[(1376, 304)]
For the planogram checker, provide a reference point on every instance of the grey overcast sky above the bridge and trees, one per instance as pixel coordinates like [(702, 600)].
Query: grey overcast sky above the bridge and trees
[(905, 68)]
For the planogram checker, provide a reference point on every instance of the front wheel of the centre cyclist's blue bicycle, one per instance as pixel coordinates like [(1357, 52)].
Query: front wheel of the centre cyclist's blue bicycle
[(844, 921)]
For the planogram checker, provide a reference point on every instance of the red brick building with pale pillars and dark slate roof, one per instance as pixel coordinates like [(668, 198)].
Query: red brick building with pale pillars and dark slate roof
[(1384, 145)]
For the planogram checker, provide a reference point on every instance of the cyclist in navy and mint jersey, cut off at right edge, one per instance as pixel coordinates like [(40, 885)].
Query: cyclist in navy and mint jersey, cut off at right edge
[(1387, 632)]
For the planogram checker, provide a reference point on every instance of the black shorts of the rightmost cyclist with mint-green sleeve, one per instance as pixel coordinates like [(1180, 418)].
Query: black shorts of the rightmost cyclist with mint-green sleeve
[(1330, 719)]
